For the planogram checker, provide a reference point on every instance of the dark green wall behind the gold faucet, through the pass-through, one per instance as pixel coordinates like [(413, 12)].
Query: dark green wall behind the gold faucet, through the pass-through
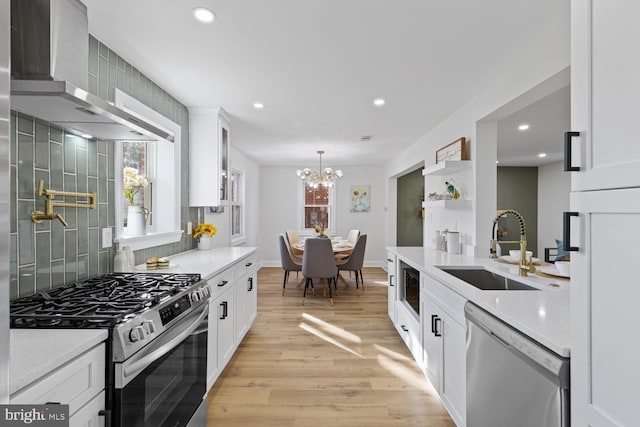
[(518, 190)]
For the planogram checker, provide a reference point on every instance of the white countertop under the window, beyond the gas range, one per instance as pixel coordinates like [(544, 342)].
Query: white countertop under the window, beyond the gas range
[(206, 262)]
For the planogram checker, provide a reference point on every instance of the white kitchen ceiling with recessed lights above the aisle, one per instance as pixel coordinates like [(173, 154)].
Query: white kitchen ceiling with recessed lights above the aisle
[(318, 65)]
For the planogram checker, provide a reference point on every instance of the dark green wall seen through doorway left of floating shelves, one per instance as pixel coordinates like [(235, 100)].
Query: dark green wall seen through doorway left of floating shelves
[(410, 197)]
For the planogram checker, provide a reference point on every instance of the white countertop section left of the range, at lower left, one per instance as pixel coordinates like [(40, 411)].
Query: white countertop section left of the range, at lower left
[(36, 352)]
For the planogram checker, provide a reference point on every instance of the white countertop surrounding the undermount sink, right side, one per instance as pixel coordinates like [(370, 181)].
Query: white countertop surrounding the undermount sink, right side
[(542, 315)]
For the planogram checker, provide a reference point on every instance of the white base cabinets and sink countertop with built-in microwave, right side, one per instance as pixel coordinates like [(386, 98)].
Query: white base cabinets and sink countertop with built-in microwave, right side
[(427, 308)]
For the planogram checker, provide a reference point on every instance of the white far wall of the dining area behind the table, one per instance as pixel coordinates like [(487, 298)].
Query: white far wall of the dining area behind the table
[(279, 209)]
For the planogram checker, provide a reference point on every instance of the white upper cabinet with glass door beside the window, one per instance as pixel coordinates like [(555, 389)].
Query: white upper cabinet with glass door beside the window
[(209, 139)]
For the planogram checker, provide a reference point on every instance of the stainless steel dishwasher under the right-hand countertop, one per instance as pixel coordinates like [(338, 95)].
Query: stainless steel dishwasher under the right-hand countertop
[(511, 379)]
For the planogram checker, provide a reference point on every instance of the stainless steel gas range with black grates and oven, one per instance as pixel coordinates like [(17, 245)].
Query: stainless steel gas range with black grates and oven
[(157, 346)]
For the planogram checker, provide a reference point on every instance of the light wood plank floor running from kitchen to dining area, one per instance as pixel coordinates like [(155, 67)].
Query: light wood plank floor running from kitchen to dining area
[(316, 364)]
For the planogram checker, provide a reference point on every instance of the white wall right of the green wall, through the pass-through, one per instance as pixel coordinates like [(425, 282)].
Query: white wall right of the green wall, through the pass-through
[(554, 185)]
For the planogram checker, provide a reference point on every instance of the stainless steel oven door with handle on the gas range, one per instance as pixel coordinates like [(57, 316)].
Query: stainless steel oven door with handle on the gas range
[(164, 383)]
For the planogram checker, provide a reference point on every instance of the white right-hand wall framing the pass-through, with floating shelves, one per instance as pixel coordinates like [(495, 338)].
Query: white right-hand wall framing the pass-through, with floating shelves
[(537, 73)]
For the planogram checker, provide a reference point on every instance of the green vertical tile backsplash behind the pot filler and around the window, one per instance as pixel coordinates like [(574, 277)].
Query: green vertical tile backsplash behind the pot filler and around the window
[(47, 255)]
